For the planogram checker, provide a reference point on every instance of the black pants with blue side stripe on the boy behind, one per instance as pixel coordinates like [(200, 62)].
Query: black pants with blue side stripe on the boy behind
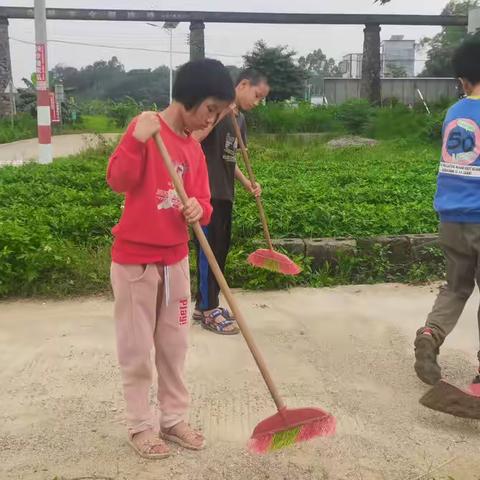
[(218, 233)]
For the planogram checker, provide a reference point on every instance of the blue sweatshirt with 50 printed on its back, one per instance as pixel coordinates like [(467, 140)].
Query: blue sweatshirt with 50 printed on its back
[(458, 188)]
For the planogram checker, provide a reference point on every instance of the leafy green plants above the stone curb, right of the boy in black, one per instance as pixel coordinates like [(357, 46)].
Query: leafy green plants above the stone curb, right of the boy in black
[(310, 190)]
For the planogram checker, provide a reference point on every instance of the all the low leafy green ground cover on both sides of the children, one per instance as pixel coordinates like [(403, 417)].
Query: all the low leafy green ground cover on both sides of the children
[(55, 220)]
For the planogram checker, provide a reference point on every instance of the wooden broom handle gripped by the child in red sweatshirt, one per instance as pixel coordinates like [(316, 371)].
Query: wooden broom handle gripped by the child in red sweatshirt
[(202, 239)]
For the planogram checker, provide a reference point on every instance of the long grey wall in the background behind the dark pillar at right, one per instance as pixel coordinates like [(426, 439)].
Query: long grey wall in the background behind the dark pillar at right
[(339, 90)]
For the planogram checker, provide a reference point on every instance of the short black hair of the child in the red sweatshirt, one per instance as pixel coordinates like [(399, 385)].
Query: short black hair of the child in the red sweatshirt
[(198, 80)]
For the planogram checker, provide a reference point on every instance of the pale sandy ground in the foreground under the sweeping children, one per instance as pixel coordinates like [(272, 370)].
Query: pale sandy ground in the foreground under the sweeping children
[(347, 350)]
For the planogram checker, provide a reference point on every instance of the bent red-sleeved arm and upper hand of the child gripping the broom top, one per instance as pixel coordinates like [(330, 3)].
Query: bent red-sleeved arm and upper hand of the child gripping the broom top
[(125, 167)]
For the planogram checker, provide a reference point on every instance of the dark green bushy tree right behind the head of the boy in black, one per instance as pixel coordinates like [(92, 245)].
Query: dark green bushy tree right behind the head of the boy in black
[(285, 76)]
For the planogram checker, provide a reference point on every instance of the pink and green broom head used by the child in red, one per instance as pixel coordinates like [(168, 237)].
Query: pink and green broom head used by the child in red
[(290, 426)]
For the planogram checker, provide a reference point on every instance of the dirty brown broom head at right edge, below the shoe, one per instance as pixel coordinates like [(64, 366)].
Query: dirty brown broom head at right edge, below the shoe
[(447, 398)]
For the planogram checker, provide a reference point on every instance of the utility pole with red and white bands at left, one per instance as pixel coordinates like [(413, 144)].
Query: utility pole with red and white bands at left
[(43, 98)]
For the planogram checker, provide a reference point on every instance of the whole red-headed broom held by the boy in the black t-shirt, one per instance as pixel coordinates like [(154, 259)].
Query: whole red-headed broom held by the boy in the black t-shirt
[(264, 258)]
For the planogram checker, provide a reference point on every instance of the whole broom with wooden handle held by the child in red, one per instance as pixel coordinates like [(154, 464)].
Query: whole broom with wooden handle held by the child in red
[(287, 426)]
